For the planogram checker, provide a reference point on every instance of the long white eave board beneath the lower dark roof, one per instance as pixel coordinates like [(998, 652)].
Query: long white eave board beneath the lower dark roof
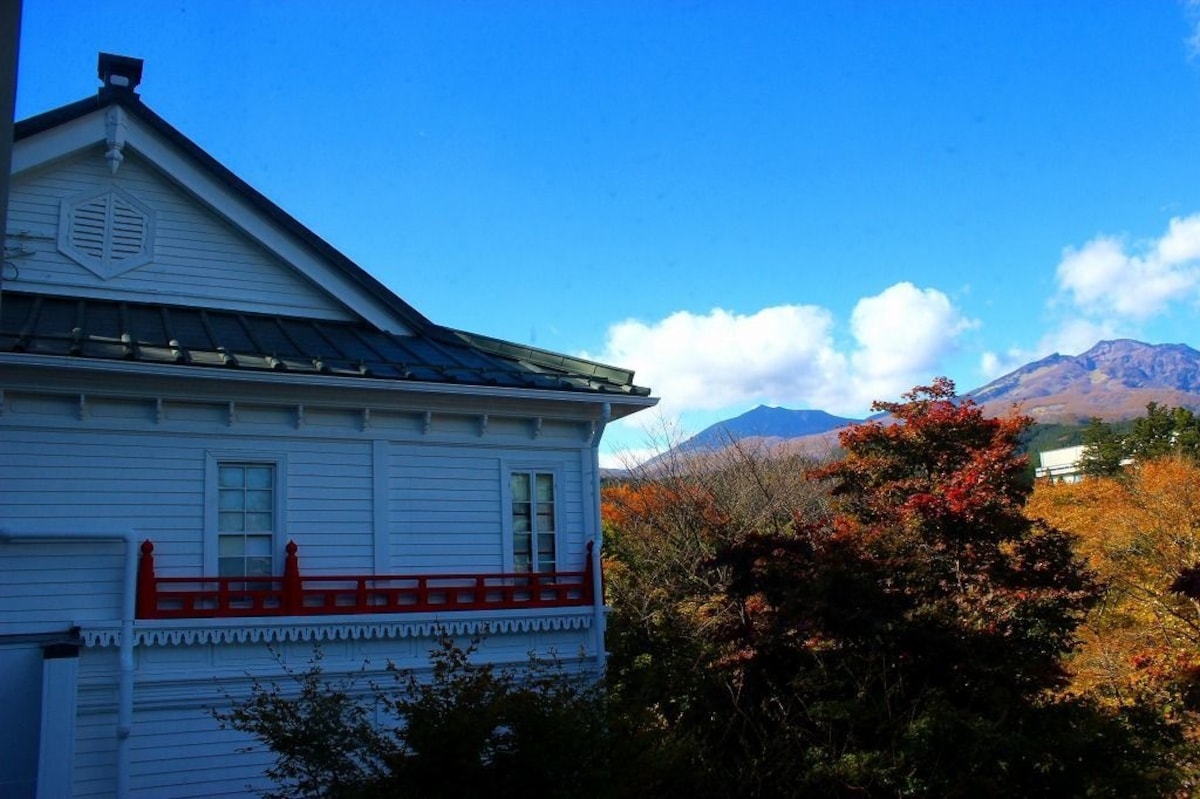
[(622, 406)]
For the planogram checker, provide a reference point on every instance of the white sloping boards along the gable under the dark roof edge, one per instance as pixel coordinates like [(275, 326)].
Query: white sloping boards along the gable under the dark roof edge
[(214, 194)]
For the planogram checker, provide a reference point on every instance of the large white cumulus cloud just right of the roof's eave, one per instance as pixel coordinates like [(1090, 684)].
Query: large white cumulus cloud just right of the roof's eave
[(790, 355)]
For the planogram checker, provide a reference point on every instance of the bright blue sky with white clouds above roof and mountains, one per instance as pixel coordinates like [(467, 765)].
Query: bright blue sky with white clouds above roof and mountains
[(800, 205)]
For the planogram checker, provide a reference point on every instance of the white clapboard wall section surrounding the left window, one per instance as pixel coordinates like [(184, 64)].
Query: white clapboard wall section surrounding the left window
[(155, 486)]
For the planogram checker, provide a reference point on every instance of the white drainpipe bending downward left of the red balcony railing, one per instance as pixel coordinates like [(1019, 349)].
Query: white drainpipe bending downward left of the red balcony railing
[(129, 609)]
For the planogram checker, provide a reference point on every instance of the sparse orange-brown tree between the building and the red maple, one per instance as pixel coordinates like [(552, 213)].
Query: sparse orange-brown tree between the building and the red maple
[(664, 526)]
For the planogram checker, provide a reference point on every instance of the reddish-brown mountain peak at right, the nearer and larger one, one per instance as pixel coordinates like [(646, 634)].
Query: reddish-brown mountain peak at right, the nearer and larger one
[(1113, 381)]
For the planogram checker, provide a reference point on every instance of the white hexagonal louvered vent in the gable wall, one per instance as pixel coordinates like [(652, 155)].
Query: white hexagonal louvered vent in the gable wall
[(107, 231)]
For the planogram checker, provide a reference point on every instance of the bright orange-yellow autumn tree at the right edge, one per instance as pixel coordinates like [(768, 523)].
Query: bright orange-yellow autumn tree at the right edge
[(1142, 534)]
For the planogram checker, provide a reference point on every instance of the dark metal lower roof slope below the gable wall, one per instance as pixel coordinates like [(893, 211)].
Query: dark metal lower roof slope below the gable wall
[(206, 338)]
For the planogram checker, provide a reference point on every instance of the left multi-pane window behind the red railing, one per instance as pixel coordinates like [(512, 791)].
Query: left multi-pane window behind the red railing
[(247, 519)]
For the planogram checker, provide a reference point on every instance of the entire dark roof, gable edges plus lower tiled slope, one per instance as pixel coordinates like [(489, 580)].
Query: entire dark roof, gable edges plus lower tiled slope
[(149, 333)]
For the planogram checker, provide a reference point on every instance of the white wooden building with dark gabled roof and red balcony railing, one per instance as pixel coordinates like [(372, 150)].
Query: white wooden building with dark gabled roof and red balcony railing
[(196, 391)]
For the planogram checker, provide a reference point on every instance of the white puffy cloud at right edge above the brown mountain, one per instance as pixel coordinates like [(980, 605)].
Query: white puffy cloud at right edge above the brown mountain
[(1108, 278)]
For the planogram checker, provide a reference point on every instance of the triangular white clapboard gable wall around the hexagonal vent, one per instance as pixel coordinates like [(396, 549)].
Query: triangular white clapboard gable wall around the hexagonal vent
[(200, 259)]
